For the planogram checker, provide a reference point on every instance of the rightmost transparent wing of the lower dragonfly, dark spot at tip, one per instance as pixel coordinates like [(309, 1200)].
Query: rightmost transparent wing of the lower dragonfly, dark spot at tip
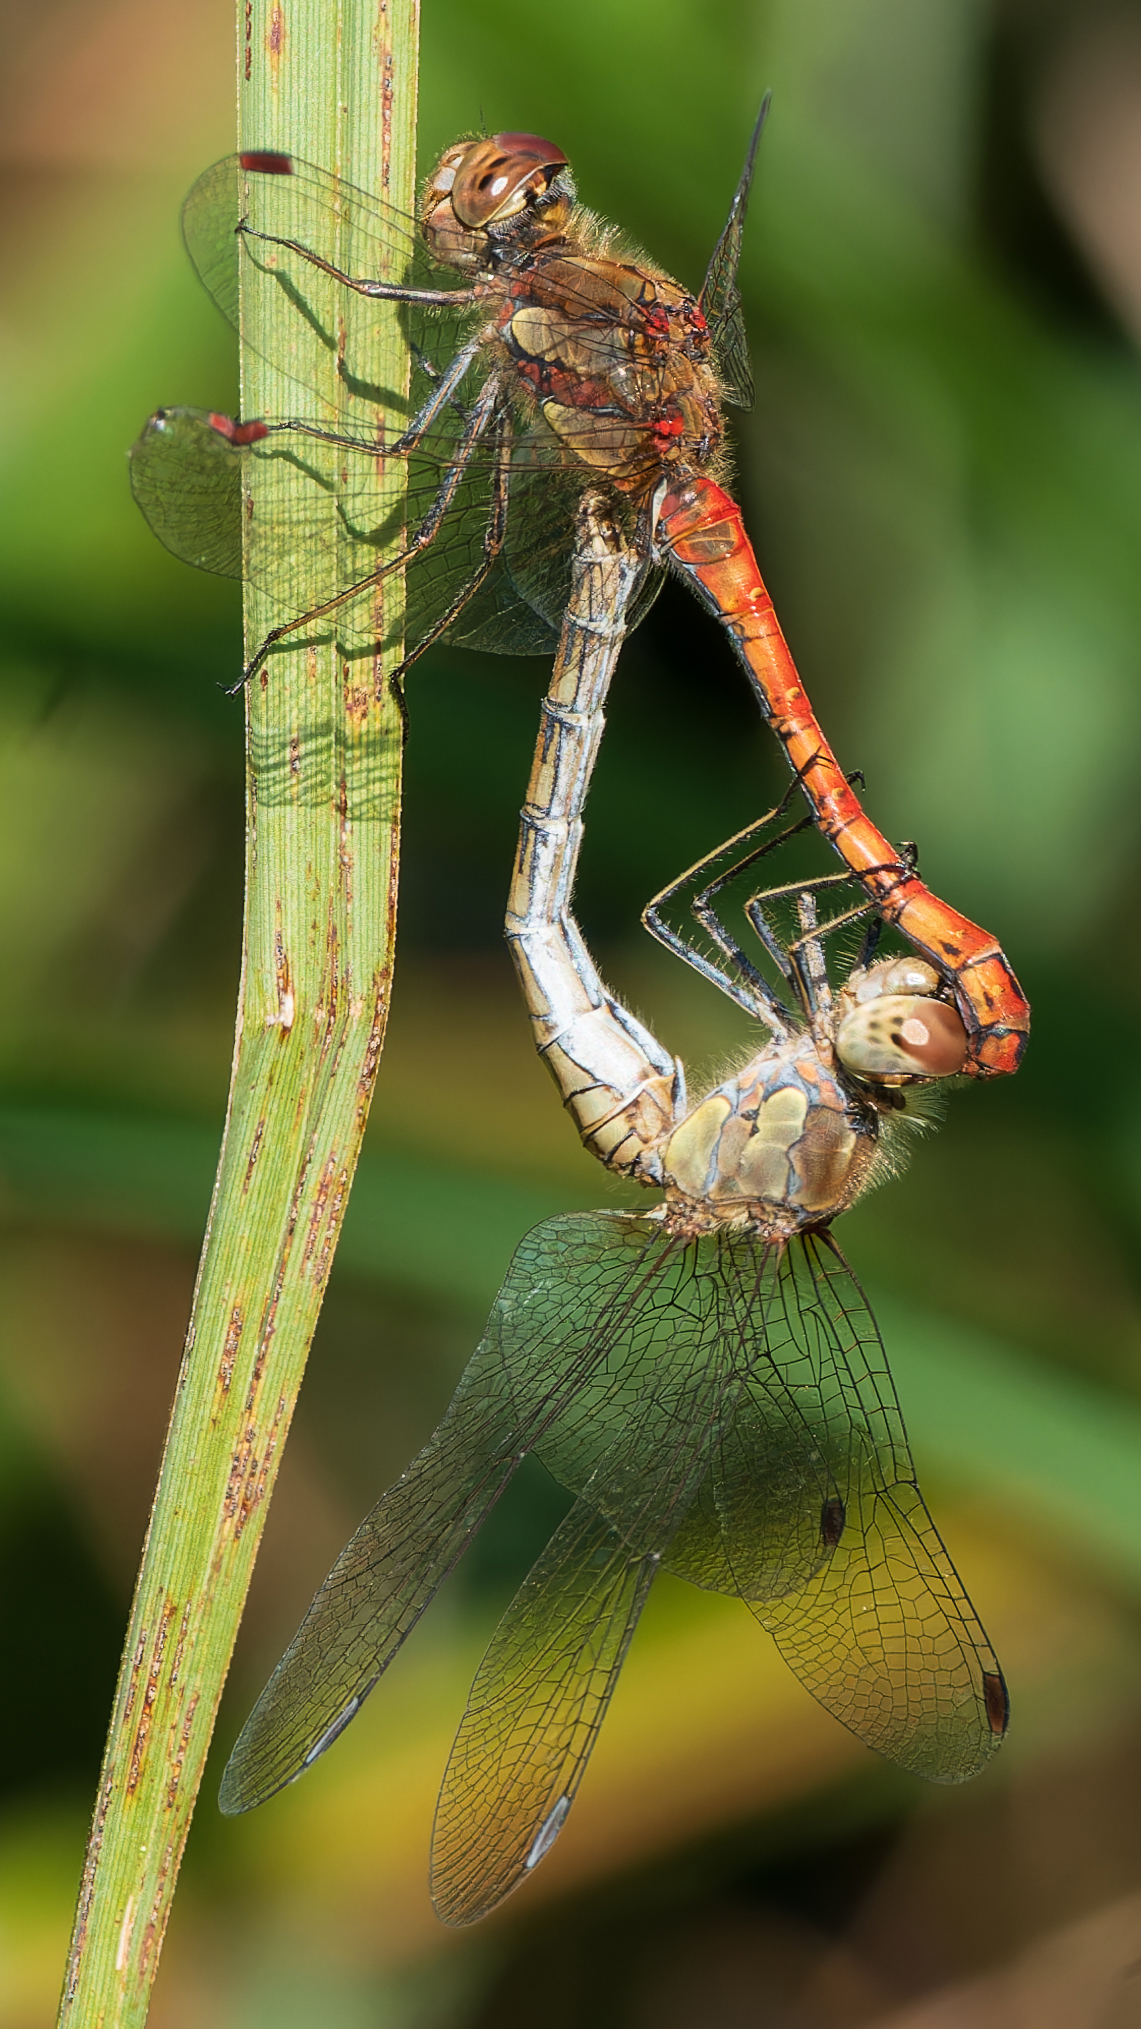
[(884, 1634)]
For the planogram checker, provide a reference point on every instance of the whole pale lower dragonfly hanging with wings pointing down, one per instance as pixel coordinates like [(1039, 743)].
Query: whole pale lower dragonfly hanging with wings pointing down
[(706, 1379)]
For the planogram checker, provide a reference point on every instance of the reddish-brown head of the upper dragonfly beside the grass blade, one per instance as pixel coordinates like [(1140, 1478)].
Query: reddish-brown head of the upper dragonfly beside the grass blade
[(488, 190)]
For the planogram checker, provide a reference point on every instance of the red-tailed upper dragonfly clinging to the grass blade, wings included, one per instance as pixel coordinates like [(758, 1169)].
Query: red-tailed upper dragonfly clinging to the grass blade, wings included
[(569, 364)]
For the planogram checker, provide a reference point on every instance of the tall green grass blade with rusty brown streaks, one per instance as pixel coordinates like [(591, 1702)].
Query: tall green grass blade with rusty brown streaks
[(336, 82)]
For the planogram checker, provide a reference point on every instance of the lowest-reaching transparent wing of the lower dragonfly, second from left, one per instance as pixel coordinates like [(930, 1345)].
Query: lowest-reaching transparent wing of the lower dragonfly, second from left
[(547, 1679)]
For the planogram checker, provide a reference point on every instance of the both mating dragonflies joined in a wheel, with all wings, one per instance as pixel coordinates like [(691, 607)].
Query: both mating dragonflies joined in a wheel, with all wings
[(703, 1379)]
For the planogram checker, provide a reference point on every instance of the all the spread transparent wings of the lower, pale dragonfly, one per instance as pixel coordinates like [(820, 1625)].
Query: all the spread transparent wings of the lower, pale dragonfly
[(718, 1407)]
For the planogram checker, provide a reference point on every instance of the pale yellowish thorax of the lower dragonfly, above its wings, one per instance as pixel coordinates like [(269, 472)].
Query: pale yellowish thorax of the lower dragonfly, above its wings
[(781, 1147)]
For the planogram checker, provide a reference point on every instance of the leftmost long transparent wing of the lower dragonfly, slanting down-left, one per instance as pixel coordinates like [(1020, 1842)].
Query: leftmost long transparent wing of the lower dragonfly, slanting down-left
[(569, 1300)]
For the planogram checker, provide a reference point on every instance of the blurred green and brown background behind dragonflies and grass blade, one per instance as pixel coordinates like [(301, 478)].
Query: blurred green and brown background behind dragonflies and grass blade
[(943, 474)]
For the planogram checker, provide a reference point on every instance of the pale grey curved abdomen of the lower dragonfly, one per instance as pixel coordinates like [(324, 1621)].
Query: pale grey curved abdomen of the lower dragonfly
[(618, 1082)]
